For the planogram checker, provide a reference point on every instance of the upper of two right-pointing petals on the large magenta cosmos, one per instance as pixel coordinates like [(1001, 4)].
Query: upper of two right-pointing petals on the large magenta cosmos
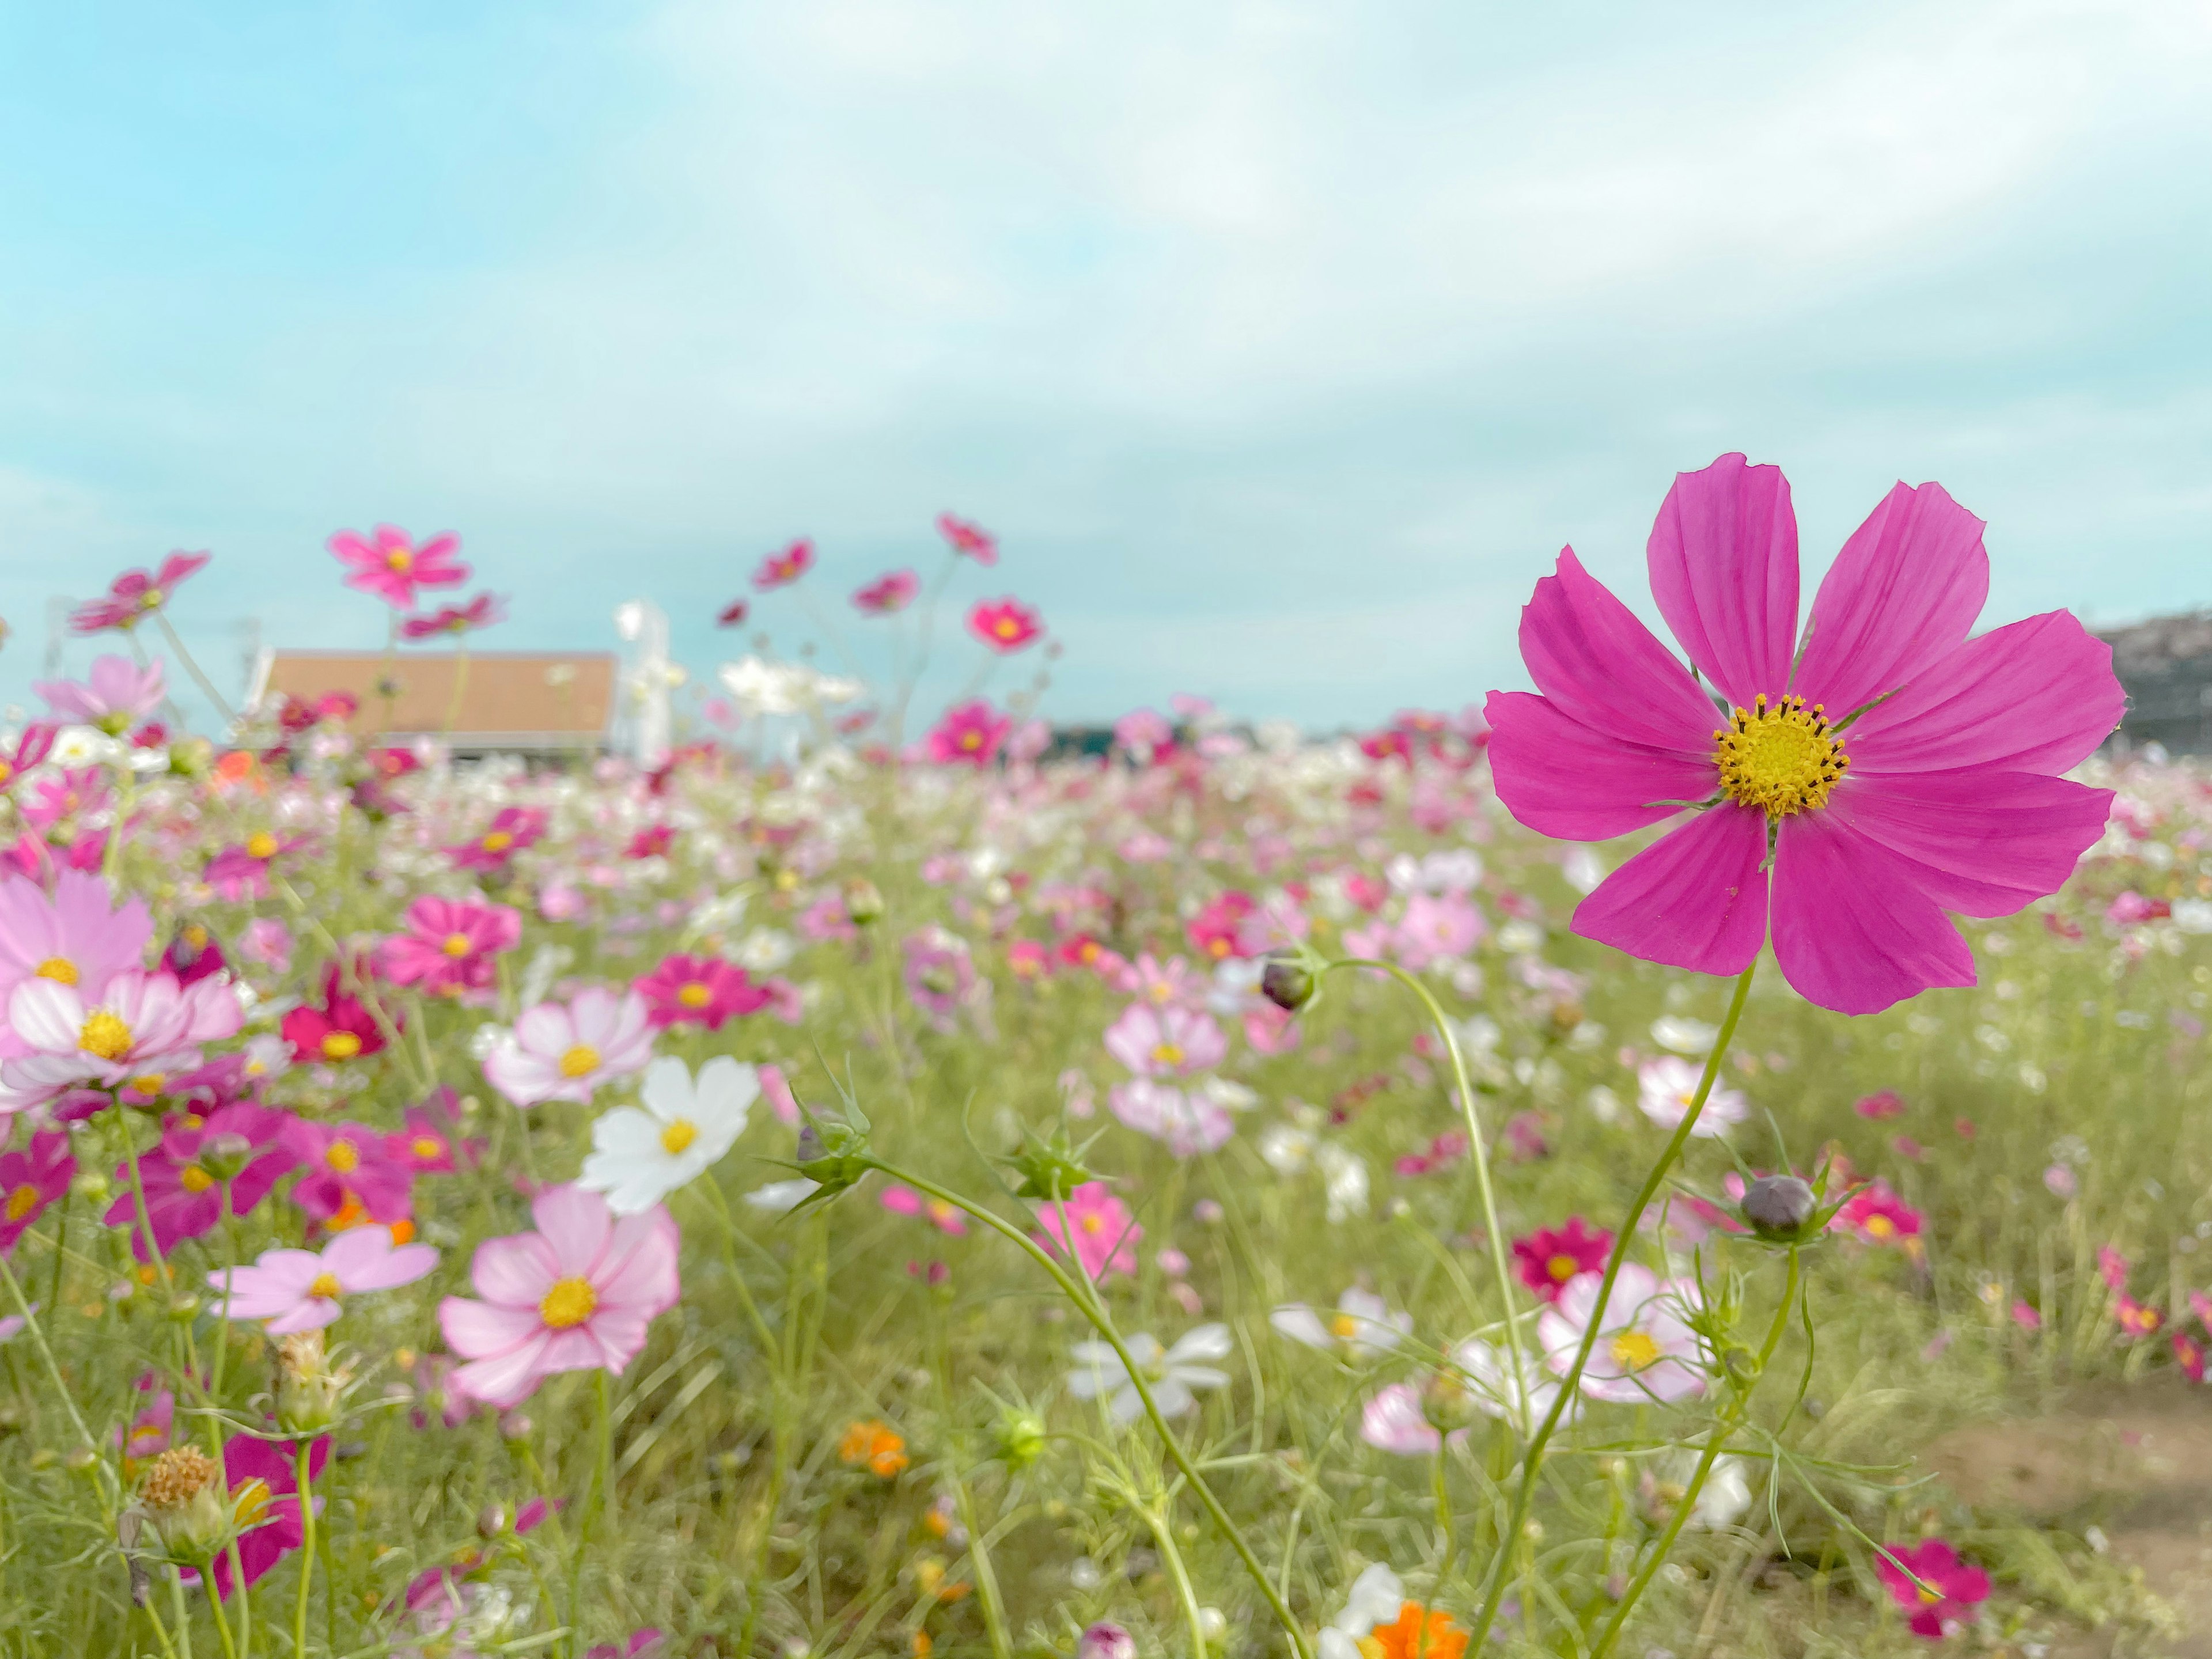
[(2036, 696)]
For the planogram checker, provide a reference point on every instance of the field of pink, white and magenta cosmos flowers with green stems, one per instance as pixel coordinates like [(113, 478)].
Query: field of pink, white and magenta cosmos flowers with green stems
[(862, 1191)]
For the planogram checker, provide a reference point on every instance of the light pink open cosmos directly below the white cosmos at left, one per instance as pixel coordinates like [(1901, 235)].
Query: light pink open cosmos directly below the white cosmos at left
[(576, 1295)]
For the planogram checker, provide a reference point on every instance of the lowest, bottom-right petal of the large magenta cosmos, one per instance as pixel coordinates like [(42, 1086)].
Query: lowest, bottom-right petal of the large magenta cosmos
[(1855, 928)]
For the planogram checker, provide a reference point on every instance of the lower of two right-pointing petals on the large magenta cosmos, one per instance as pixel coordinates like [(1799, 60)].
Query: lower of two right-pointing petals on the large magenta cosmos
[(1981, 844)]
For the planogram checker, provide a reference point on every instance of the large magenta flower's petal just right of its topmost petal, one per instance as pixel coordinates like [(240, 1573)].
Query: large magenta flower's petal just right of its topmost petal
[(1897, 601)]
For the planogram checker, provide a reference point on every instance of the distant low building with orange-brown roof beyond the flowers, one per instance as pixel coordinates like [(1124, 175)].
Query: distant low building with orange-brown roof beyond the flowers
[(512, 702)]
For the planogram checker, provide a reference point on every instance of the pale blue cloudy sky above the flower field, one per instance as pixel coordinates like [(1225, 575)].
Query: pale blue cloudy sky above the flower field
[(1282, 344)]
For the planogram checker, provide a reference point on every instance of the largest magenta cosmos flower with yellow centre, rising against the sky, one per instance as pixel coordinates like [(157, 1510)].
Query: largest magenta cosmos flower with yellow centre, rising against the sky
[(1886, 769)]
